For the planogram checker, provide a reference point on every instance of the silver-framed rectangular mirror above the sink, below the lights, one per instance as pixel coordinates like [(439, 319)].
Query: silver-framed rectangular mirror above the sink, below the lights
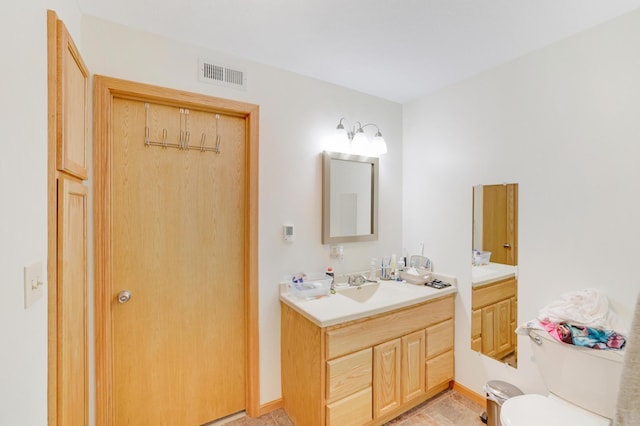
[(349, 198)]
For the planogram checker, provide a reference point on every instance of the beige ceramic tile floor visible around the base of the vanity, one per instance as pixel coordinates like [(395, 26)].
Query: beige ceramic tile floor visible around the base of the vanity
[(448, 408)]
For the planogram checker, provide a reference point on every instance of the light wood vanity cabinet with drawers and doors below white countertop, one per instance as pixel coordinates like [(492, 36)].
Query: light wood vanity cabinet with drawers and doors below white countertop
[(366, 371)]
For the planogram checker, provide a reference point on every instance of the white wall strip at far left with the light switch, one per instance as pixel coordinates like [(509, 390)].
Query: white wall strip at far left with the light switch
[(23, 212)]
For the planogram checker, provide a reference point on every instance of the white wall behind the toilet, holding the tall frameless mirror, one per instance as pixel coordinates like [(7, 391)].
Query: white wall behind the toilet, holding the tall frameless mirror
[(563, 122)]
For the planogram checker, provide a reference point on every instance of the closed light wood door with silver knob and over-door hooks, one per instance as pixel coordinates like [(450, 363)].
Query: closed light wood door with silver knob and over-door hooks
[(178, 245)]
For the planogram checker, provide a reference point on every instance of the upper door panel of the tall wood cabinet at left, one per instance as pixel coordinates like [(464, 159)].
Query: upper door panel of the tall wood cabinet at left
[(72, 106)]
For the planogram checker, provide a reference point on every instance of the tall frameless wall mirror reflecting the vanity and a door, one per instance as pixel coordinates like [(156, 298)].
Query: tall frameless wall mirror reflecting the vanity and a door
[(494, 281)]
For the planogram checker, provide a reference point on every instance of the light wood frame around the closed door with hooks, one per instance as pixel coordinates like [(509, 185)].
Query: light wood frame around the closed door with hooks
[(105, 90)]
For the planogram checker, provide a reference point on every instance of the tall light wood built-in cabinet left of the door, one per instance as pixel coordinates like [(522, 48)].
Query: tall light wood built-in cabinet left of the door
[(67, 222)]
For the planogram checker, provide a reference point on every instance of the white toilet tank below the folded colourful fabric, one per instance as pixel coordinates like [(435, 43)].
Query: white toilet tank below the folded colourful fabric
[(588, 378)]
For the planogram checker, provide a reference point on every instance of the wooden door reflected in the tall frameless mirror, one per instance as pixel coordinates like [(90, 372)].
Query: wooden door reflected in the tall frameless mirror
[(499, 228)]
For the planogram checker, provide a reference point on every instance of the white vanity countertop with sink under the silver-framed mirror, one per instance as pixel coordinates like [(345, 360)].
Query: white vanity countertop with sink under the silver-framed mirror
[(390, 295)]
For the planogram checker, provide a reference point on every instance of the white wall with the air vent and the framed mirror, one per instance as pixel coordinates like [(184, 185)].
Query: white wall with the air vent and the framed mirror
[(297, 114)]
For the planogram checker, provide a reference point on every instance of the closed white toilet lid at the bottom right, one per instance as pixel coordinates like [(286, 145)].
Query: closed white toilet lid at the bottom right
[(536, 410)]
